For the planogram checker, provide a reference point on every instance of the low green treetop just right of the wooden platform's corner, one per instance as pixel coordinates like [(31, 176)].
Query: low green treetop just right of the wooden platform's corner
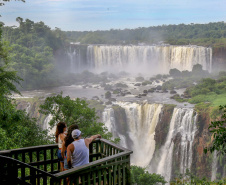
[(140, 176)]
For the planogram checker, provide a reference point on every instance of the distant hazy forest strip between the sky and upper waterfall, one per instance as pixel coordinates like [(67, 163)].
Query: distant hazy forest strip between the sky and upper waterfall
[(211, 34)]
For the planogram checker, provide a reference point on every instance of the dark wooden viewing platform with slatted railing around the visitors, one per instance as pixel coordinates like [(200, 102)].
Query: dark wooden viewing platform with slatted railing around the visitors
[(38, 165)]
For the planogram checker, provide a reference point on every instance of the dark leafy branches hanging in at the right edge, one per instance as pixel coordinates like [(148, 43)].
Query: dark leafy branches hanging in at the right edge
[(218, 130)]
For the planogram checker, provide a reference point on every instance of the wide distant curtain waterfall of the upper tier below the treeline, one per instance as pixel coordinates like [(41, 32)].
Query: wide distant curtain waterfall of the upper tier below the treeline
[(161, 58)]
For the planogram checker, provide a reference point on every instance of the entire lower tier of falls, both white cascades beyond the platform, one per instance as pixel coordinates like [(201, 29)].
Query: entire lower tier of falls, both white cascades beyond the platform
[(142, 120)]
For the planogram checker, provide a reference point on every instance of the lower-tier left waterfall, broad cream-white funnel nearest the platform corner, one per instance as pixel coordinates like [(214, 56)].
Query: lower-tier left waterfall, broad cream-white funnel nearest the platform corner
[(141, 121)]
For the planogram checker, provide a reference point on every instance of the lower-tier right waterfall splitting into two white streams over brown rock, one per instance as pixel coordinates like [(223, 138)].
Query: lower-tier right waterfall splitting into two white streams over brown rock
[(184, 123)]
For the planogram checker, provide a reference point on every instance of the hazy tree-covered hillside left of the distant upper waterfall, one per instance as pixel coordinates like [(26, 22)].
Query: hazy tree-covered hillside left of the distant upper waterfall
[(32, 48)]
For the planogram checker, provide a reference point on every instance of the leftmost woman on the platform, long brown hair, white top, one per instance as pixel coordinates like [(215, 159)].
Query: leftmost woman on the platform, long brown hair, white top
[(59, 136)]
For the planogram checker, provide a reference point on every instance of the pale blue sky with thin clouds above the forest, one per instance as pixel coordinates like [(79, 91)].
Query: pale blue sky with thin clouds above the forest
[(86, 15)]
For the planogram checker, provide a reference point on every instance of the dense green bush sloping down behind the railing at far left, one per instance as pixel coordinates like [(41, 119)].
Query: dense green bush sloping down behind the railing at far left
[(17, 129)]
